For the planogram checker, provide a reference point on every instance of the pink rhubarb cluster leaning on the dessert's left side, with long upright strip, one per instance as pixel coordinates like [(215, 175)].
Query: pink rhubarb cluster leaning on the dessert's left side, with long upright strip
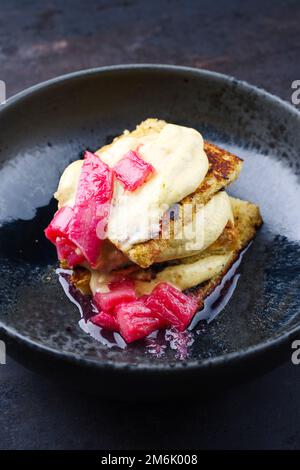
[(78, 232)]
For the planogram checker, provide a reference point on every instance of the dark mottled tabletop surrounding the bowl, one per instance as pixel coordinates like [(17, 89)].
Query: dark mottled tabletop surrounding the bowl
[(257, 41)]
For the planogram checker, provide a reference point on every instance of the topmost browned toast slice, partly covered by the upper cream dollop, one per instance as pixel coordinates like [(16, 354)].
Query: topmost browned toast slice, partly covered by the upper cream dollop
[(224, 168)]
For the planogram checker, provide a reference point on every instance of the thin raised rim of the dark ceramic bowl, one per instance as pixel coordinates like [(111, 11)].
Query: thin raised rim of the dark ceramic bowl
[(276, 342)]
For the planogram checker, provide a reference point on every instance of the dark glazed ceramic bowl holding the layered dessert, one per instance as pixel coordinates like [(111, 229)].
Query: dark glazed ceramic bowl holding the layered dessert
[(46, 127)]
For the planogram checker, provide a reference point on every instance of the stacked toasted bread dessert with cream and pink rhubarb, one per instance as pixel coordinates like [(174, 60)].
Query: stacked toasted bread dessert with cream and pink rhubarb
[(147, 227)]
